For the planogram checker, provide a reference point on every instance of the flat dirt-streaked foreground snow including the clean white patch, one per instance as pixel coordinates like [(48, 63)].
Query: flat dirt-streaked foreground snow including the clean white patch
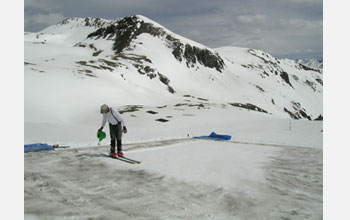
[(177, 180)]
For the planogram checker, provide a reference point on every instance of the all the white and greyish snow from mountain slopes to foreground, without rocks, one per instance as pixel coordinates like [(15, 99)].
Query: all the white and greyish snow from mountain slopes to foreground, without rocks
[(271, 169)]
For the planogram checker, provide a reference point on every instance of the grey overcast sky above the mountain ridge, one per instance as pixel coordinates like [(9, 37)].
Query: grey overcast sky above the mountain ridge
[(283, 28)]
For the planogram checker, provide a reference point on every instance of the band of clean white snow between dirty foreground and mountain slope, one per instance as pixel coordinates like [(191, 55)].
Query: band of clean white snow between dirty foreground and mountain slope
[(183, 121)]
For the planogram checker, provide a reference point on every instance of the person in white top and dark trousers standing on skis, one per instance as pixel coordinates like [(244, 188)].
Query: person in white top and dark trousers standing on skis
[(116, 128)]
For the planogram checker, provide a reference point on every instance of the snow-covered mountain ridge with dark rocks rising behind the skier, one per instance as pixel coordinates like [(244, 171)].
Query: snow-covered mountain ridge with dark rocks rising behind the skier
[(81, 63)]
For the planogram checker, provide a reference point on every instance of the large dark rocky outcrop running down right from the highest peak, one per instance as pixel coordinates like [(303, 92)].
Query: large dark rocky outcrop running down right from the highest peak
[(124, 31)]
